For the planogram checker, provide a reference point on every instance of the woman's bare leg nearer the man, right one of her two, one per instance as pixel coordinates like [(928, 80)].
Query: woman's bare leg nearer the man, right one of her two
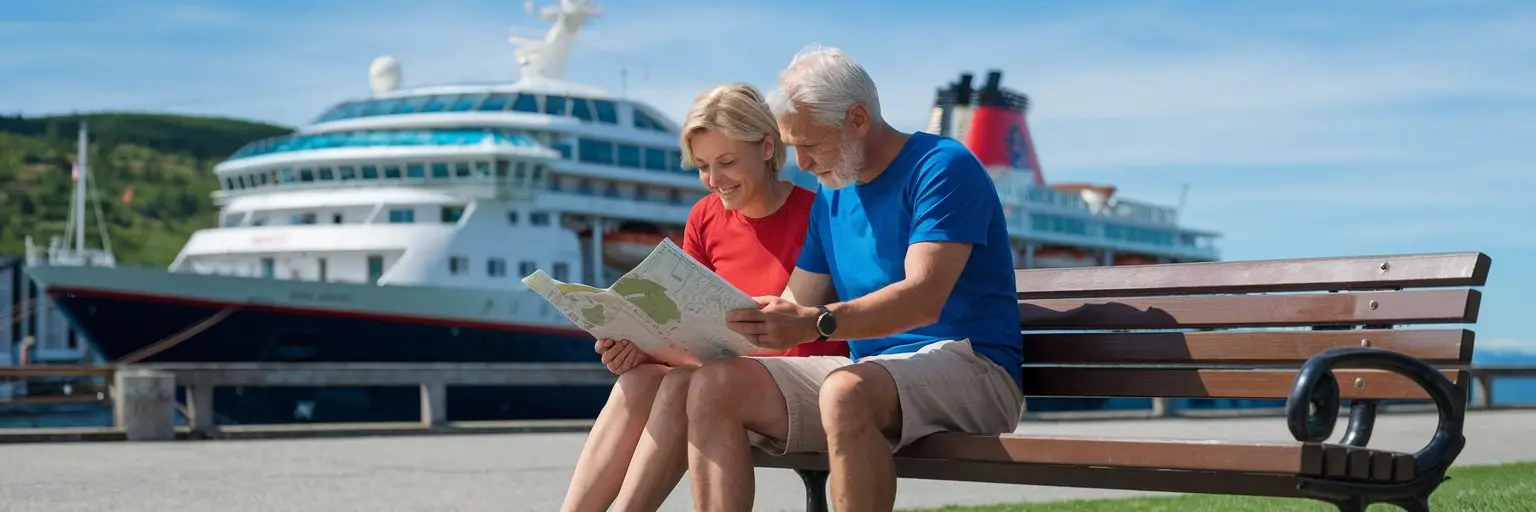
[(663, 454)]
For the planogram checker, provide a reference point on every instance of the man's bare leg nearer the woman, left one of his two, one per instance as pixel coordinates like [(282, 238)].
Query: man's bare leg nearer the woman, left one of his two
[(726, 401)]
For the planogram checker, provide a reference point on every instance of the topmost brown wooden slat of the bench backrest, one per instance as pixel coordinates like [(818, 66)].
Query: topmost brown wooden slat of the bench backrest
[(1265, 276)]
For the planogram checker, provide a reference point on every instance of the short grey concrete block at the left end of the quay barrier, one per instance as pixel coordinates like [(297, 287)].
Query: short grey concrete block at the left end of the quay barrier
[(144, 405)]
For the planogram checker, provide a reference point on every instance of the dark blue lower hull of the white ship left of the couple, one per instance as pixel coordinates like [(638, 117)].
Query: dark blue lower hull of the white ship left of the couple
[(125, 324)]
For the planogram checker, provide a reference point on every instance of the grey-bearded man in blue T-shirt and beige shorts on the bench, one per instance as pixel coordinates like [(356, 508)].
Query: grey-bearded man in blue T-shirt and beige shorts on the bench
[(907, 258)]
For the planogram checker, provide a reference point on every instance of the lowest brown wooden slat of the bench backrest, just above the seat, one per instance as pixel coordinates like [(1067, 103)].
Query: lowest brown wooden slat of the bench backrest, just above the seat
[(1211, 384)]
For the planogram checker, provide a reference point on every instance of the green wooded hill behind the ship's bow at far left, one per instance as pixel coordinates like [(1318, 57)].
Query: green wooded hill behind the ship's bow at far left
[(168, 161)]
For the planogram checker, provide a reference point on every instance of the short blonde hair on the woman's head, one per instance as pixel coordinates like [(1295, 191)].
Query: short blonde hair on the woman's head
[(740, 113)]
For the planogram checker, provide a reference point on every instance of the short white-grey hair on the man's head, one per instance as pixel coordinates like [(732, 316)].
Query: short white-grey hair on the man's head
[(827, 82)]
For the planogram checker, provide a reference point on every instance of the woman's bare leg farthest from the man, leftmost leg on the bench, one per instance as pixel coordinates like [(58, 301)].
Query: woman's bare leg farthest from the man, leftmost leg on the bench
[(611, 445)]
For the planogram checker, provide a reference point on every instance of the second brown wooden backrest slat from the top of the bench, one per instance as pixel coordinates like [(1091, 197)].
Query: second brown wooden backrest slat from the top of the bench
[(1253, 311)]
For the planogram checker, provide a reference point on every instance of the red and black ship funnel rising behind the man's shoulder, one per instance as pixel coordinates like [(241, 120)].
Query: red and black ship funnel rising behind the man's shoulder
[(991, 122)]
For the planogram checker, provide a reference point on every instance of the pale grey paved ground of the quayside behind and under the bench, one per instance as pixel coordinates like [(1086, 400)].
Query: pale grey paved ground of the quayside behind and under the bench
[(531, 471)]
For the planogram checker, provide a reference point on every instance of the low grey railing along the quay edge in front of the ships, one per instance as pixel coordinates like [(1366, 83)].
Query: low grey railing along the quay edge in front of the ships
[(145, 402)]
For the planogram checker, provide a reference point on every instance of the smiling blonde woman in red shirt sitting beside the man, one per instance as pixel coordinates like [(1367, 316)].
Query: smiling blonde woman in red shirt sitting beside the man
[(749, 231)]
